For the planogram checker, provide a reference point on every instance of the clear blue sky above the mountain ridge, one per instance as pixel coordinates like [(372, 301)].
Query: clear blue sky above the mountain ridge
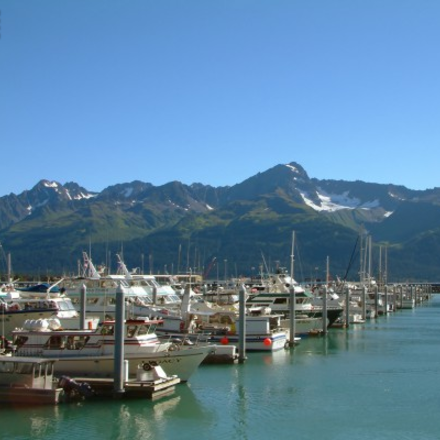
[(101, 92)]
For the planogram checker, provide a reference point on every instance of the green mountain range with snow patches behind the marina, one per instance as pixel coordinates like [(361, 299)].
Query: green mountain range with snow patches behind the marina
[(227, 231)]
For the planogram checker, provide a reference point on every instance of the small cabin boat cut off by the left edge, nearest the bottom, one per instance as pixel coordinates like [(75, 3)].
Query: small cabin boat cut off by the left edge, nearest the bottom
[(28, 381)]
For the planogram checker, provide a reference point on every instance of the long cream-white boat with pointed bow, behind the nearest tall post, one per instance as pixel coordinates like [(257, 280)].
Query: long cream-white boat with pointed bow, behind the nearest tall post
[(90, 353)]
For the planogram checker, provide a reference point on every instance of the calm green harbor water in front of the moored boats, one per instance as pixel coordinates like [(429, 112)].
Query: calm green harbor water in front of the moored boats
[(380, 380)]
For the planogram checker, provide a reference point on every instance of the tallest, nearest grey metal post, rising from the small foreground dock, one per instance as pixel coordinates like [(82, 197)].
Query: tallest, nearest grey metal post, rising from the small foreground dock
[(119, 343)]
